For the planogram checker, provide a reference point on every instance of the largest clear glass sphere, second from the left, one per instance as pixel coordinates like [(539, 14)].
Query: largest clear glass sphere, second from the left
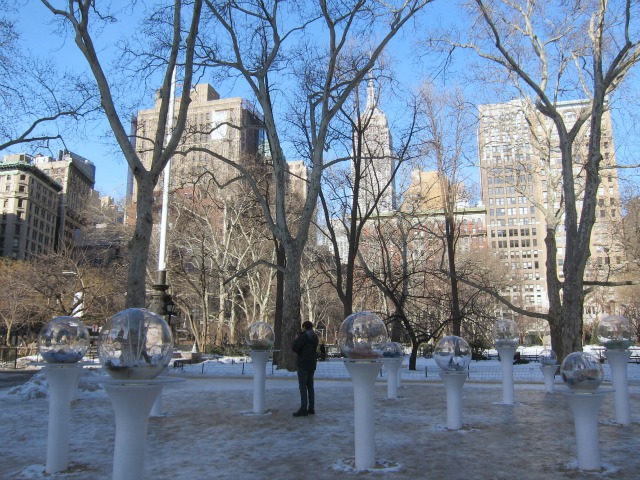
[(135, 344)]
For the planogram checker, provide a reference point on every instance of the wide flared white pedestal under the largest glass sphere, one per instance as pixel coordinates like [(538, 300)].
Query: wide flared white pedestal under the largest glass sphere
[(131, 404)]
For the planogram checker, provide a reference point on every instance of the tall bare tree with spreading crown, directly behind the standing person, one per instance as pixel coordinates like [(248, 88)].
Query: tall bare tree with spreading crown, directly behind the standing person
[(255, 43)]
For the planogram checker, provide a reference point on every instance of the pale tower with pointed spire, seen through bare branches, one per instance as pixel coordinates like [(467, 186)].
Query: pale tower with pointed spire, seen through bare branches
[(373, 146)]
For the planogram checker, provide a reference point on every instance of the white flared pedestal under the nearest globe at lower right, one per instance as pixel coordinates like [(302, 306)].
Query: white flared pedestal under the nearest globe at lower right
[(584, 407)]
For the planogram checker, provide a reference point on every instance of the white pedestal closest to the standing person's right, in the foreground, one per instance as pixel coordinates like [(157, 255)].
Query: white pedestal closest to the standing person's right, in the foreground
[(363, 375)]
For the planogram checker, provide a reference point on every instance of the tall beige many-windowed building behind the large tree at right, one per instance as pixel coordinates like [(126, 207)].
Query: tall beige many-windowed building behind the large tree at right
[(520, 173)]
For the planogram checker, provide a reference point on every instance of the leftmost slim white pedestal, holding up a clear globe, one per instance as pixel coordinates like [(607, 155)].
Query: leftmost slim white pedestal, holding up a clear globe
[(63, 381)]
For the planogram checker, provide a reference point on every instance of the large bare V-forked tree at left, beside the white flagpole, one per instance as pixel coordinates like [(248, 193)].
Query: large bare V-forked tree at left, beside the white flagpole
[(84, 17)]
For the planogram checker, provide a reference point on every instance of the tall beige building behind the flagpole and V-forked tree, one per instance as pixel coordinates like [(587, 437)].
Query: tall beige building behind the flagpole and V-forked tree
[(230, 127)]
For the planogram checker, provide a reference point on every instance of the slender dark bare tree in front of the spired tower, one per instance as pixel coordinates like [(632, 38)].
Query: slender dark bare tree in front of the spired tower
[(354, 194)]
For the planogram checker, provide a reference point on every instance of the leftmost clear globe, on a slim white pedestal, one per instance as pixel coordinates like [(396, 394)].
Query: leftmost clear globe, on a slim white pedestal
[(63, 340)]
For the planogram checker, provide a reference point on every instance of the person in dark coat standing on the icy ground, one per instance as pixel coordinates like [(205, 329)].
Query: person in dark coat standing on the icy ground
[(305, 346)]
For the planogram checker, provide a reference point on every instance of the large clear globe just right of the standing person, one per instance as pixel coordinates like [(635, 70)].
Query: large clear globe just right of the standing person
[(362, 335)]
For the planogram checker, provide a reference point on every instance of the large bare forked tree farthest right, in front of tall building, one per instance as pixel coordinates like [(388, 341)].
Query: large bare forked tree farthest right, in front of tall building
[(552, 52)]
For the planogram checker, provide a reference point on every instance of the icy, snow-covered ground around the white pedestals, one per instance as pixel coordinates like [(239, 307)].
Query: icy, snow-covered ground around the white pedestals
[(208, 432)]
